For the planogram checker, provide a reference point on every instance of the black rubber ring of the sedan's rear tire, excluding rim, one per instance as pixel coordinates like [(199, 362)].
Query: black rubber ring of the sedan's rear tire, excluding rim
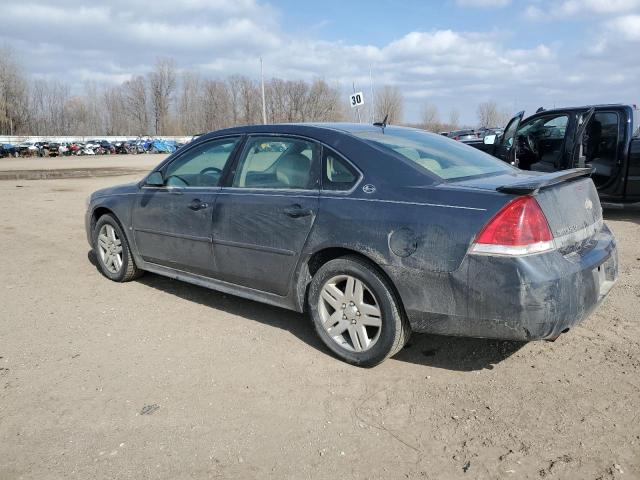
[(386, 300)]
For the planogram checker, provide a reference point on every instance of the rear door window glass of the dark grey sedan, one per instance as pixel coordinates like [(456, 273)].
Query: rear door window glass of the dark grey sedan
[(278, 163)]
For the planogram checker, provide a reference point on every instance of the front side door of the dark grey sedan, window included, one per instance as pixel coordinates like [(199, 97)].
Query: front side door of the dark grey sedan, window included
[(172, 218)]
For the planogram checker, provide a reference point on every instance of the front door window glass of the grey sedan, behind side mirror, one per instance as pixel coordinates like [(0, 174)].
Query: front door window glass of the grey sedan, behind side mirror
[(201, 166)]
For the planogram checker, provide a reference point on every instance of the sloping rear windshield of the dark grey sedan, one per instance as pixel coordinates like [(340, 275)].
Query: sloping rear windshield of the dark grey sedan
[(441, 156)]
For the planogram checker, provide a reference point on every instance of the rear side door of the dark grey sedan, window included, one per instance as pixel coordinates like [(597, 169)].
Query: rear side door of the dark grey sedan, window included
[(262, 220)]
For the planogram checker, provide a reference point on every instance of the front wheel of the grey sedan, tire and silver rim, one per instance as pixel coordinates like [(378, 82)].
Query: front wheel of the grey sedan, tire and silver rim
[(121, 267)]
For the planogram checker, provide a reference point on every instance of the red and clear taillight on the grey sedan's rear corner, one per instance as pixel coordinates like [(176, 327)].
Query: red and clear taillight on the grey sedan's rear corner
[(519, 228)]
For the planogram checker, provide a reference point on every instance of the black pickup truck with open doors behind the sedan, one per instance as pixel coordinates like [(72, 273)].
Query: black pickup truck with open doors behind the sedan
[(605, 138)]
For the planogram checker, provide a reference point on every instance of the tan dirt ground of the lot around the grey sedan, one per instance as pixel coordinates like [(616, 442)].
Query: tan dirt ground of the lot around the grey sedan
[(161, 379)]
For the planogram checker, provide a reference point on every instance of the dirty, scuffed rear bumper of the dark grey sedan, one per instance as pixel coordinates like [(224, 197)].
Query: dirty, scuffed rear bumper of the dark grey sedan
[(516, 298)]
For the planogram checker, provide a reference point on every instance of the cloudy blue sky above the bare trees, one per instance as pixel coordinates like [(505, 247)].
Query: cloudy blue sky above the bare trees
[(453, 54)]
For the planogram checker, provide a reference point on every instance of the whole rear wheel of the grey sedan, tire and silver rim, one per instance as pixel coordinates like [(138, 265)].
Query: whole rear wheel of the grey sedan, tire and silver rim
[(376, 327)]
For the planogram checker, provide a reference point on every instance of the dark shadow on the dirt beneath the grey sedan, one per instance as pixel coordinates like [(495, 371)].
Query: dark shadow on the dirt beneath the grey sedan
[(449, 353)]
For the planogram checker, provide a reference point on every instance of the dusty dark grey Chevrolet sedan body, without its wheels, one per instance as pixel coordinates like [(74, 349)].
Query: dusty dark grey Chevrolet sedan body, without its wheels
[(411, 204)]
